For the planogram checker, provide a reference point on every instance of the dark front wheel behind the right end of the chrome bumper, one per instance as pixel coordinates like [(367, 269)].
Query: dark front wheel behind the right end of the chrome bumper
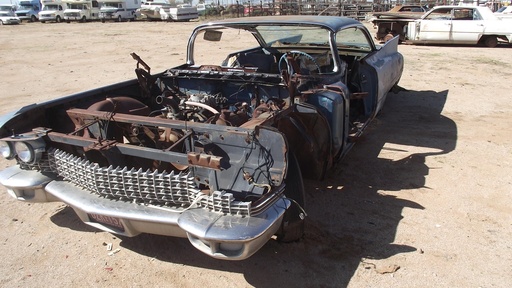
[(292, 227)]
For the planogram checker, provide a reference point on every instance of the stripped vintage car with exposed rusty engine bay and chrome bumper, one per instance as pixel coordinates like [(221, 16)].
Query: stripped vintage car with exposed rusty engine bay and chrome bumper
[(215, 149)]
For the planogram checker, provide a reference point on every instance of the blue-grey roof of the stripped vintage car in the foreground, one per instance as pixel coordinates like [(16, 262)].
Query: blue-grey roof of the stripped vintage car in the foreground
[(331, 22)]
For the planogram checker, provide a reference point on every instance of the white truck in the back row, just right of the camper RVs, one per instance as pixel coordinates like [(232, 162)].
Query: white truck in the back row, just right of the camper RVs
[(119, 10)]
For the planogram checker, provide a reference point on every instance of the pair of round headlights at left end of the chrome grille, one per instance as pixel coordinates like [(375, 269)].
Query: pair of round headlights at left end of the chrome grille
[(27, 151)]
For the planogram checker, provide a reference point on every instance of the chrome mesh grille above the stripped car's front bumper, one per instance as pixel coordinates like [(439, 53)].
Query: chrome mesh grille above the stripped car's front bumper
[(144, 187)]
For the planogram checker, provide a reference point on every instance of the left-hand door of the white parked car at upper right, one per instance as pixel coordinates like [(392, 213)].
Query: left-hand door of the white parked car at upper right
[(436, 26)]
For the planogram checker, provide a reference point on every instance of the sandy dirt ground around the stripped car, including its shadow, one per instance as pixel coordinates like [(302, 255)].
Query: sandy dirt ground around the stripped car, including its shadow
[(424, 200)]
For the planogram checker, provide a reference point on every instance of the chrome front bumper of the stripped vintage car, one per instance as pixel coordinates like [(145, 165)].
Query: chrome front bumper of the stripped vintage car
[(218, 235)]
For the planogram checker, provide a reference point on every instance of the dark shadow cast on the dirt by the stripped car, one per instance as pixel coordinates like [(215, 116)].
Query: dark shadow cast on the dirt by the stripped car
[(350, 217)]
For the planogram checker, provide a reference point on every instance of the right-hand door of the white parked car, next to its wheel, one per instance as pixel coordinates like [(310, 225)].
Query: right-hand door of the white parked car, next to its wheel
[(467, 26)]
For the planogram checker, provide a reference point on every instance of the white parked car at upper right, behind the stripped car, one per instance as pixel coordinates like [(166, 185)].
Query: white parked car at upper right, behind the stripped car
[(459, 25)]
